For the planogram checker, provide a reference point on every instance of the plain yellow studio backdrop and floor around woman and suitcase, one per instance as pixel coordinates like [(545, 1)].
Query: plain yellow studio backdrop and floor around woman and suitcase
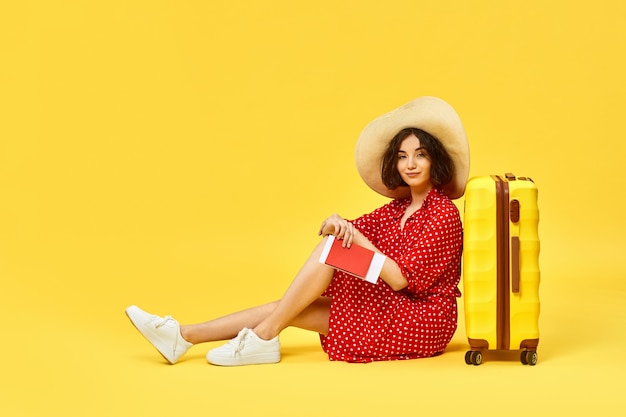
[(181, 156)]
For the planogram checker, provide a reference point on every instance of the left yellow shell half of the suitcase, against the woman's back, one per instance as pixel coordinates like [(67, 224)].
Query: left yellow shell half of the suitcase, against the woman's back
[(480, 263)]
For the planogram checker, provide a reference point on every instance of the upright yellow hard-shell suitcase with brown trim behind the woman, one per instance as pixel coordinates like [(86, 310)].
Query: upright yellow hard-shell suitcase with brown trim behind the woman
[(501, 266)]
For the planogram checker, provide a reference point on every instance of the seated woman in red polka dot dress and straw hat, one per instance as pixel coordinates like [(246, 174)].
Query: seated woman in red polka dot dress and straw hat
[(417, 155)]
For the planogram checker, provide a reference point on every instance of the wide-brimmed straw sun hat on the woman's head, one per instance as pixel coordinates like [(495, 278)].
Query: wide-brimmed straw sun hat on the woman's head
[(430, 114)]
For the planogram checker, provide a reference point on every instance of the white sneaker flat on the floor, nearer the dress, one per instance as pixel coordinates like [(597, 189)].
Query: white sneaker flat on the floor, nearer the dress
[(246, 349)]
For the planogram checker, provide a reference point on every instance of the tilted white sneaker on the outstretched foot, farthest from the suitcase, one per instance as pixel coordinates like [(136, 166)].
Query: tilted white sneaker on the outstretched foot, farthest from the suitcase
[(162, 332)]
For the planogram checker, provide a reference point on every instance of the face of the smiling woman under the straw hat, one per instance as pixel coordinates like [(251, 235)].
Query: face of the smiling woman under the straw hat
[(414, 163)]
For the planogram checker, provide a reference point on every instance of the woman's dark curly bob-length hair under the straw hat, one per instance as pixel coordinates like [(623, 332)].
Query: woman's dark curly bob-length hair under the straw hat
[(441, 168)]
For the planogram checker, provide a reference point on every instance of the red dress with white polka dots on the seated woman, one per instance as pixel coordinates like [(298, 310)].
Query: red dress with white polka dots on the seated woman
[(371, 322)]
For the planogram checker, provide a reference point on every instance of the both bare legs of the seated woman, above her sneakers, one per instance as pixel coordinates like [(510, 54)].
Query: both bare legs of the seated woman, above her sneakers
[(301, 306)]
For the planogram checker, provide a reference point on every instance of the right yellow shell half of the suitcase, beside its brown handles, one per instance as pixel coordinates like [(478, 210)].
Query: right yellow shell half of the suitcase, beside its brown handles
[(524, 305)]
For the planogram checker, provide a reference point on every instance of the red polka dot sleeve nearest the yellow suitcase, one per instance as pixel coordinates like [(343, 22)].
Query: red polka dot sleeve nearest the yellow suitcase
[(438, 245)]
